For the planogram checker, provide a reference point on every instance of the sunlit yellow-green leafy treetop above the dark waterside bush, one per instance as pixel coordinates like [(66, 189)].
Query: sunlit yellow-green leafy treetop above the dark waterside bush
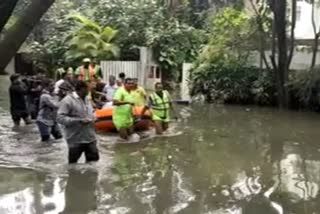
[(230, 35)]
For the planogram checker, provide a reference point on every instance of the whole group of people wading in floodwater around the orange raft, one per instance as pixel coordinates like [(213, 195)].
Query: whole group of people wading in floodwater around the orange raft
[(69, 104)]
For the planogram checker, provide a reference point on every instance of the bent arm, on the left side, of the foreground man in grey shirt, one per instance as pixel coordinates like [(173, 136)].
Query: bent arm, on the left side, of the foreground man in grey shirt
[(64, 116)]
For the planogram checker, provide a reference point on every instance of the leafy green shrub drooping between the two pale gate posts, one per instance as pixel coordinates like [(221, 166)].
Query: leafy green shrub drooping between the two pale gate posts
[(174, 44)]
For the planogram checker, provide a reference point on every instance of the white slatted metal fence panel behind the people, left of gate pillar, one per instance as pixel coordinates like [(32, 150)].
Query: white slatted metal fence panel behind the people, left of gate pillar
[(130, 68)]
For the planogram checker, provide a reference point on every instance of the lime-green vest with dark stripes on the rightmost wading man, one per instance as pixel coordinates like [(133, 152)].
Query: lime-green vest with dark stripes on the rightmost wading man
[(160, 106)]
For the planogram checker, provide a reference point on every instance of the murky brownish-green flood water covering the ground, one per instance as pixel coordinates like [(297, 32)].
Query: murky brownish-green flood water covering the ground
[(220, 160)]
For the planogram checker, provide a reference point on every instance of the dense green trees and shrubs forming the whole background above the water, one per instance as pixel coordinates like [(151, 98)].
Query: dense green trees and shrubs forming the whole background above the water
[(219, 37)]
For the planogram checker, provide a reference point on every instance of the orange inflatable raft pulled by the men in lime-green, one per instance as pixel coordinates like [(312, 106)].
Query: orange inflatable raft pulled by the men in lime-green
[(104, 120)]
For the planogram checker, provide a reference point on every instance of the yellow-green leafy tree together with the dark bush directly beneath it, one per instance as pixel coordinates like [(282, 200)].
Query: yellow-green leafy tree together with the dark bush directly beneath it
[(222, 71)]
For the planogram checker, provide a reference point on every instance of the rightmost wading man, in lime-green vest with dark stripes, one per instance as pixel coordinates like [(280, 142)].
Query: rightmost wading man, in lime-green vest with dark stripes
[(160, 103)]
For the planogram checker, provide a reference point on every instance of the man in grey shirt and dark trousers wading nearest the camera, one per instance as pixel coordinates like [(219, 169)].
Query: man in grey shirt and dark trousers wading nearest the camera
[(77, 116)]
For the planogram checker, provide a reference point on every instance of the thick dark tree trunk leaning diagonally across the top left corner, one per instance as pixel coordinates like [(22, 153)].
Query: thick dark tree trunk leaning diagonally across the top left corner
[(18, 33)]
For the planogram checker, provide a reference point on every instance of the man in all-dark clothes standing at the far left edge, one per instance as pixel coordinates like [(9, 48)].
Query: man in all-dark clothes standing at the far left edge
[(18, 106)]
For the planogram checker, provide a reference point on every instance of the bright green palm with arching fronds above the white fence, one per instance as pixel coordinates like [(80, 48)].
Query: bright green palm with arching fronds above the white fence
[(90, 40)]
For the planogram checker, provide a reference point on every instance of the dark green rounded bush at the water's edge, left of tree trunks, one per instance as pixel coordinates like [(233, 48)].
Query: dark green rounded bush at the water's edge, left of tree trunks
[(232, 82)]
